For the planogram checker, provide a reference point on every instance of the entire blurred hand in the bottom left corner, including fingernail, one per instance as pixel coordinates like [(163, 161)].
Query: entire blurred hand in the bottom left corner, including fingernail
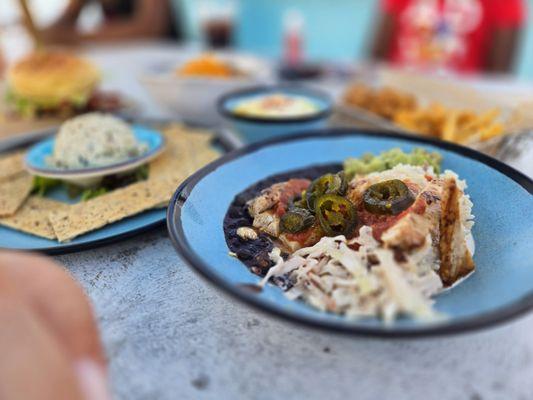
[(49, 343)]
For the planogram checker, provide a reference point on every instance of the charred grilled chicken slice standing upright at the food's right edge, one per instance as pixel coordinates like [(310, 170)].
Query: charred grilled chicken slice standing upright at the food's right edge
[(455, 258)]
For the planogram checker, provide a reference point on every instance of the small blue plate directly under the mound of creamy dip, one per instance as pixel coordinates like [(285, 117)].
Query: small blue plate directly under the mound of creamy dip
[(36, 158)]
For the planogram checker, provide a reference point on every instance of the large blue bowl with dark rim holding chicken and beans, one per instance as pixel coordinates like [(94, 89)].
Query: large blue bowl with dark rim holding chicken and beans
[(501, 288)]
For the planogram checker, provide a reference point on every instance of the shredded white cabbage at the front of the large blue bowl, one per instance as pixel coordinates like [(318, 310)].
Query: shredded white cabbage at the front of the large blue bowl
[(333, 277)]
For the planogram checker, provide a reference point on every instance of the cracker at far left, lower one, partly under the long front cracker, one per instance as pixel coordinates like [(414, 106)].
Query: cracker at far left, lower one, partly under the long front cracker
[(32, 217)]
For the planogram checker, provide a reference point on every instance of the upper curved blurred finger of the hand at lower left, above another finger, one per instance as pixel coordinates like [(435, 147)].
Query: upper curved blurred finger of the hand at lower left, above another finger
[(57, 298)]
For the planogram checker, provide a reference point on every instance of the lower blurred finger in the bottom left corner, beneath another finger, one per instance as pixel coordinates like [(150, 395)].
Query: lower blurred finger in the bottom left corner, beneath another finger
[(33, 365)]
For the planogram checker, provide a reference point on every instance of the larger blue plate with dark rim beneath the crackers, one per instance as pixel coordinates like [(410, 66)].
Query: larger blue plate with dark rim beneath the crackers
[(12, 239)]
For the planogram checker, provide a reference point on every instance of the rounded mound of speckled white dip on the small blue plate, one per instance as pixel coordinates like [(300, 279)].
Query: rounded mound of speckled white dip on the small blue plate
[(94, 140)]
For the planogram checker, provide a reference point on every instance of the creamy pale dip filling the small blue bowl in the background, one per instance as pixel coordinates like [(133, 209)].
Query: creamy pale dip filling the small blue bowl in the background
[(276, 105)]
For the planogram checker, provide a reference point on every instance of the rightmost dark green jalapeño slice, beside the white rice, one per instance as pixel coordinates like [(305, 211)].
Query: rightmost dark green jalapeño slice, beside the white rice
[(388, 197)]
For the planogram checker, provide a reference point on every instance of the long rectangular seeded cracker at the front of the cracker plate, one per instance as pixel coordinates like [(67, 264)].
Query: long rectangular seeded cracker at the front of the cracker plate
[(112, 207)]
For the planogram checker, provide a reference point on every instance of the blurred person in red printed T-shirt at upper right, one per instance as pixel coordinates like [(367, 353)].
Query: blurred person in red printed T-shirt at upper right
[(457, 35)]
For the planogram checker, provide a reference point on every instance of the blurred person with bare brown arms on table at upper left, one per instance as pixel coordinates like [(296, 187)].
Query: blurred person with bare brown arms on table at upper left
[(122, 20)]
